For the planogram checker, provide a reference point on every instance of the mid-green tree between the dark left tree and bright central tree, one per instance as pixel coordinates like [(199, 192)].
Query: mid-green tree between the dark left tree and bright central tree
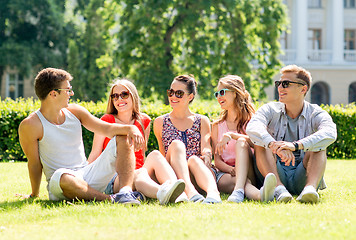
[(85, 47)]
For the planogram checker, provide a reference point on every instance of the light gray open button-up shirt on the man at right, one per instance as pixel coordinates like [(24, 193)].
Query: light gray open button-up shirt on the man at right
[(316, 128)]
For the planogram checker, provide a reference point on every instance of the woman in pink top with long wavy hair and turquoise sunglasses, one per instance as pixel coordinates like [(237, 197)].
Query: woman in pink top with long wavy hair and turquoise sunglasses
[(233, 149)]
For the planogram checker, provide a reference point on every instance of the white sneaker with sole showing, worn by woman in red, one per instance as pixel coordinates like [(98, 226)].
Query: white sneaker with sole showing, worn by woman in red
[(169, 192)]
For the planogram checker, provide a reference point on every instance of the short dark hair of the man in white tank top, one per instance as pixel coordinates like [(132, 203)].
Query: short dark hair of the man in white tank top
[(48, 79)]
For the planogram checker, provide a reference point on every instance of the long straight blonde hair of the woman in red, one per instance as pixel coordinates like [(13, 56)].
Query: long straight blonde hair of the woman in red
[(110, 109)]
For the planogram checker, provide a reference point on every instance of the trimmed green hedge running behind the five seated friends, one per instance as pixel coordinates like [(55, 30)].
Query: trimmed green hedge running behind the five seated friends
[(12, 112)]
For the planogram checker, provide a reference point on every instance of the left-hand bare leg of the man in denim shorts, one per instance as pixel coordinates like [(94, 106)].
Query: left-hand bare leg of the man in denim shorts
[(266, 162)]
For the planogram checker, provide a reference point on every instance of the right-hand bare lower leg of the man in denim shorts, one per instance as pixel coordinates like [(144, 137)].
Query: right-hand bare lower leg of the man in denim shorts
[(315, 164)]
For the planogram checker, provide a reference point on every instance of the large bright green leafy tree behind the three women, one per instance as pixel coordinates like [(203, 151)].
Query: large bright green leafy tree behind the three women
[(156, 40)]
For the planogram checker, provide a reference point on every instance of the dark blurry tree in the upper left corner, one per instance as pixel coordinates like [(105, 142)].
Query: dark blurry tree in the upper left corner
[(32, 34)]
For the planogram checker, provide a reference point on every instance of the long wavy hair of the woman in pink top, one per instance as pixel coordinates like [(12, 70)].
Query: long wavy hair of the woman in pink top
[(243, 102)]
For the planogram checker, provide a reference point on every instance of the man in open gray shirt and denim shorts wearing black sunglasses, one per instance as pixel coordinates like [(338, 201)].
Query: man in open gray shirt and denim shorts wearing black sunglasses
[(291, 137)]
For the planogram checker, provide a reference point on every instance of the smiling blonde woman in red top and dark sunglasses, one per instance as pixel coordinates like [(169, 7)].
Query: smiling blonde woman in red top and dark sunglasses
[(124, 108)]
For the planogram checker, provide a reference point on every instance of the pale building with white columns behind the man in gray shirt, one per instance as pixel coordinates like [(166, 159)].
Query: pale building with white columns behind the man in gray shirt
[(322, 39)]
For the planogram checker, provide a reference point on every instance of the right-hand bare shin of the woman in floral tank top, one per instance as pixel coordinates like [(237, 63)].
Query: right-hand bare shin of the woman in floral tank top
[(203, 175)]
